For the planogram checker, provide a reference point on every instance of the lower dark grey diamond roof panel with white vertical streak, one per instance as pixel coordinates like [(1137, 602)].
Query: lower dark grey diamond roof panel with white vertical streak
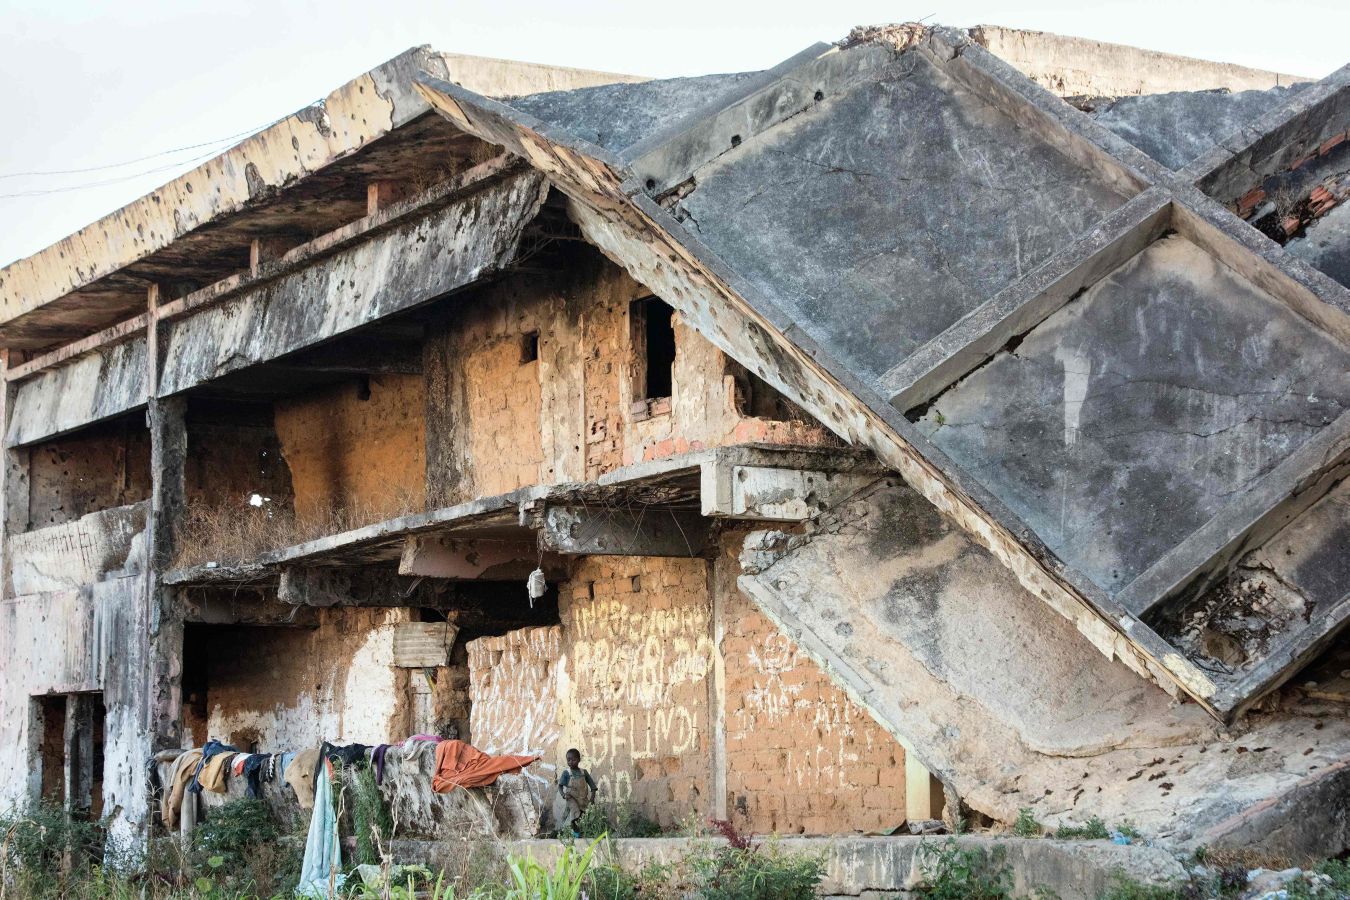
[(1131, 418)]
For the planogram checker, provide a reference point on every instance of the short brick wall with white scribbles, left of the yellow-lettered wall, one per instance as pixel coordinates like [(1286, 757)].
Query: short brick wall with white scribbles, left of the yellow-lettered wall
[(514, 692)]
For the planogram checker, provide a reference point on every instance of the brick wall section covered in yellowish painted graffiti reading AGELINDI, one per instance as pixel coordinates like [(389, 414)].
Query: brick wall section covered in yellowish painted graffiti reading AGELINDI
[(634, 682)]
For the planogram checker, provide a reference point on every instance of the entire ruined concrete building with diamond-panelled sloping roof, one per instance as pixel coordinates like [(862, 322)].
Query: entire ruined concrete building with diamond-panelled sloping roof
[(940, 423)]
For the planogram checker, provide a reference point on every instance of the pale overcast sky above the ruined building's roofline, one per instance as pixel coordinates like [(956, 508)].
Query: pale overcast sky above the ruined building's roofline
[(91, 84)]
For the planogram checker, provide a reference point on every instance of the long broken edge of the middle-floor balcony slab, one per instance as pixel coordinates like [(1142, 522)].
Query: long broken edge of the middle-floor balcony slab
[(520, 503)]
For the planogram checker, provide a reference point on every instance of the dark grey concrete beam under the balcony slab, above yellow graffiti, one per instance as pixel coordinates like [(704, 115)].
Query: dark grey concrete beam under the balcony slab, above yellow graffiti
[(603, 531)]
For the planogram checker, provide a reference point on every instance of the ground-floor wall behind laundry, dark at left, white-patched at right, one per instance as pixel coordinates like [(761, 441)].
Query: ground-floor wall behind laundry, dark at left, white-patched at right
[(290, 689)]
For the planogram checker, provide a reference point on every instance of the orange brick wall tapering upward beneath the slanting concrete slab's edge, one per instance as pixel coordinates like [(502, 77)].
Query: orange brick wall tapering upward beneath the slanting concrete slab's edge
[(801, 758)]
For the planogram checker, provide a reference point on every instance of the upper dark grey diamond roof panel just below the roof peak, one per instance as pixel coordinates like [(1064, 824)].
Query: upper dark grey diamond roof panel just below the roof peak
[(882, 215)]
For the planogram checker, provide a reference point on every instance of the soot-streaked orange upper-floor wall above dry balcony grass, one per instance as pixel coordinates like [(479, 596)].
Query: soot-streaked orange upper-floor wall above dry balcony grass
[(364, 457)]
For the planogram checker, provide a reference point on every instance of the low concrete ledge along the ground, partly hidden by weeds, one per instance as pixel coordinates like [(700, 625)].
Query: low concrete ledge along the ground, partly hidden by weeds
[(858, 864)]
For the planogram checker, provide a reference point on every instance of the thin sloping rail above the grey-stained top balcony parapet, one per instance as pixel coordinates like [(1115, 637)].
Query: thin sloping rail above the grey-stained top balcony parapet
[(445, 194)]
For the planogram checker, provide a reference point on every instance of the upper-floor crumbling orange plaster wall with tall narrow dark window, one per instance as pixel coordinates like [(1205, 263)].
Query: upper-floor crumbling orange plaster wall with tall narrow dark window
[(499, 419)]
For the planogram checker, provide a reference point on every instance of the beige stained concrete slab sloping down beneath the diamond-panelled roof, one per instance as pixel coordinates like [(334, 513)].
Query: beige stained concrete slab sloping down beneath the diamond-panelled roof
[(1001, 700)]
